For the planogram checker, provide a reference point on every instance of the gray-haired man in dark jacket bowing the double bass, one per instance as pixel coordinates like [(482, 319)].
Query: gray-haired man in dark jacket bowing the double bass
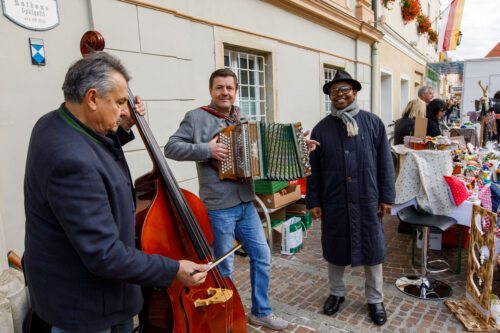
[(82, 269)]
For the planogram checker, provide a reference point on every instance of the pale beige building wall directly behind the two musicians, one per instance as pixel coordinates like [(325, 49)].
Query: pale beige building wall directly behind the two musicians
[(283, 52)]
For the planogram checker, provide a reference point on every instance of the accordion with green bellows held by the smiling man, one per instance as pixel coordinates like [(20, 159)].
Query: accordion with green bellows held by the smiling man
[(258, 150)]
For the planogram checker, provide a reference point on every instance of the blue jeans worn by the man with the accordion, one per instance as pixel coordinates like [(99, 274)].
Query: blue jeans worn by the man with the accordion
[(243, 223)]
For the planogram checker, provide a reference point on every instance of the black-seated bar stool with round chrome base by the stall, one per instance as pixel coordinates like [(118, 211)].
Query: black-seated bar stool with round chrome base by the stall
[(421, 286)]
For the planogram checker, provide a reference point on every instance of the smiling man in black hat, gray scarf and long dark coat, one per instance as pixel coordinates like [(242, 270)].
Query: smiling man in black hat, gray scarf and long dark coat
[(351, 186)]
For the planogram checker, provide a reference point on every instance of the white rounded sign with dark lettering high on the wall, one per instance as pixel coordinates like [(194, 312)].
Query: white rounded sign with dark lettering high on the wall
[(32, 14)]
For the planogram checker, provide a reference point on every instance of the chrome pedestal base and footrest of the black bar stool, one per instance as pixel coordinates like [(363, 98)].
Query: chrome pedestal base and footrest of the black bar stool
[(420, 286)]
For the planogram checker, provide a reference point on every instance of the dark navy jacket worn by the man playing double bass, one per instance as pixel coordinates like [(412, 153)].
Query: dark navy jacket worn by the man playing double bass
[(82, 268)]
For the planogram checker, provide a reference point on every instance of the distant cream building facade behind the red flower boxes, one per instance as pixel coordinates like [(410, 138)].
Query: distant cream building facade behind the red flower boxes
[(403, 56)]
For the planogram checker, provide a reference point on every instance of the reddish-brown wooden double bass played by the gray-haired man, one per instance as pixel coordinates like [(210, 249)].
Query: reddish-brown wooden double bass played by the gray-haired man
[(174, 223)]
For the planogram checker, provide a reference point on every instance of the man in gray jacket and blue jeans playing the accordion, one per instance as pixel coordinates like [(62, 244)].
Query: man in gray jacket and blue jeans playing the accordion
[(229, 203)]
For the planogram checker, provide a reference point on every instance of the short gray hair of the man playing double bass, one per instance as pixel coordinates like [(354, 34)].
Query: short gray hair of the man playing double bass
[(93, 71)]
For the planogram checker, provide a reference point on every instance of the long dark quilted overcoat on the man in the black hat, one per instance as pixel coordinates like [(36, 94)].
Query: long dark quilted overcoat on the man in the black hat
[(350, 177)]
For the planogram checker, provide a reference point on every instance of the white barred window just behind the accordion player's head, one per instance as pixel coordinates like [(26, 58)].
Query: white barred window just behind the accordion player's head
[(251, 98)]
